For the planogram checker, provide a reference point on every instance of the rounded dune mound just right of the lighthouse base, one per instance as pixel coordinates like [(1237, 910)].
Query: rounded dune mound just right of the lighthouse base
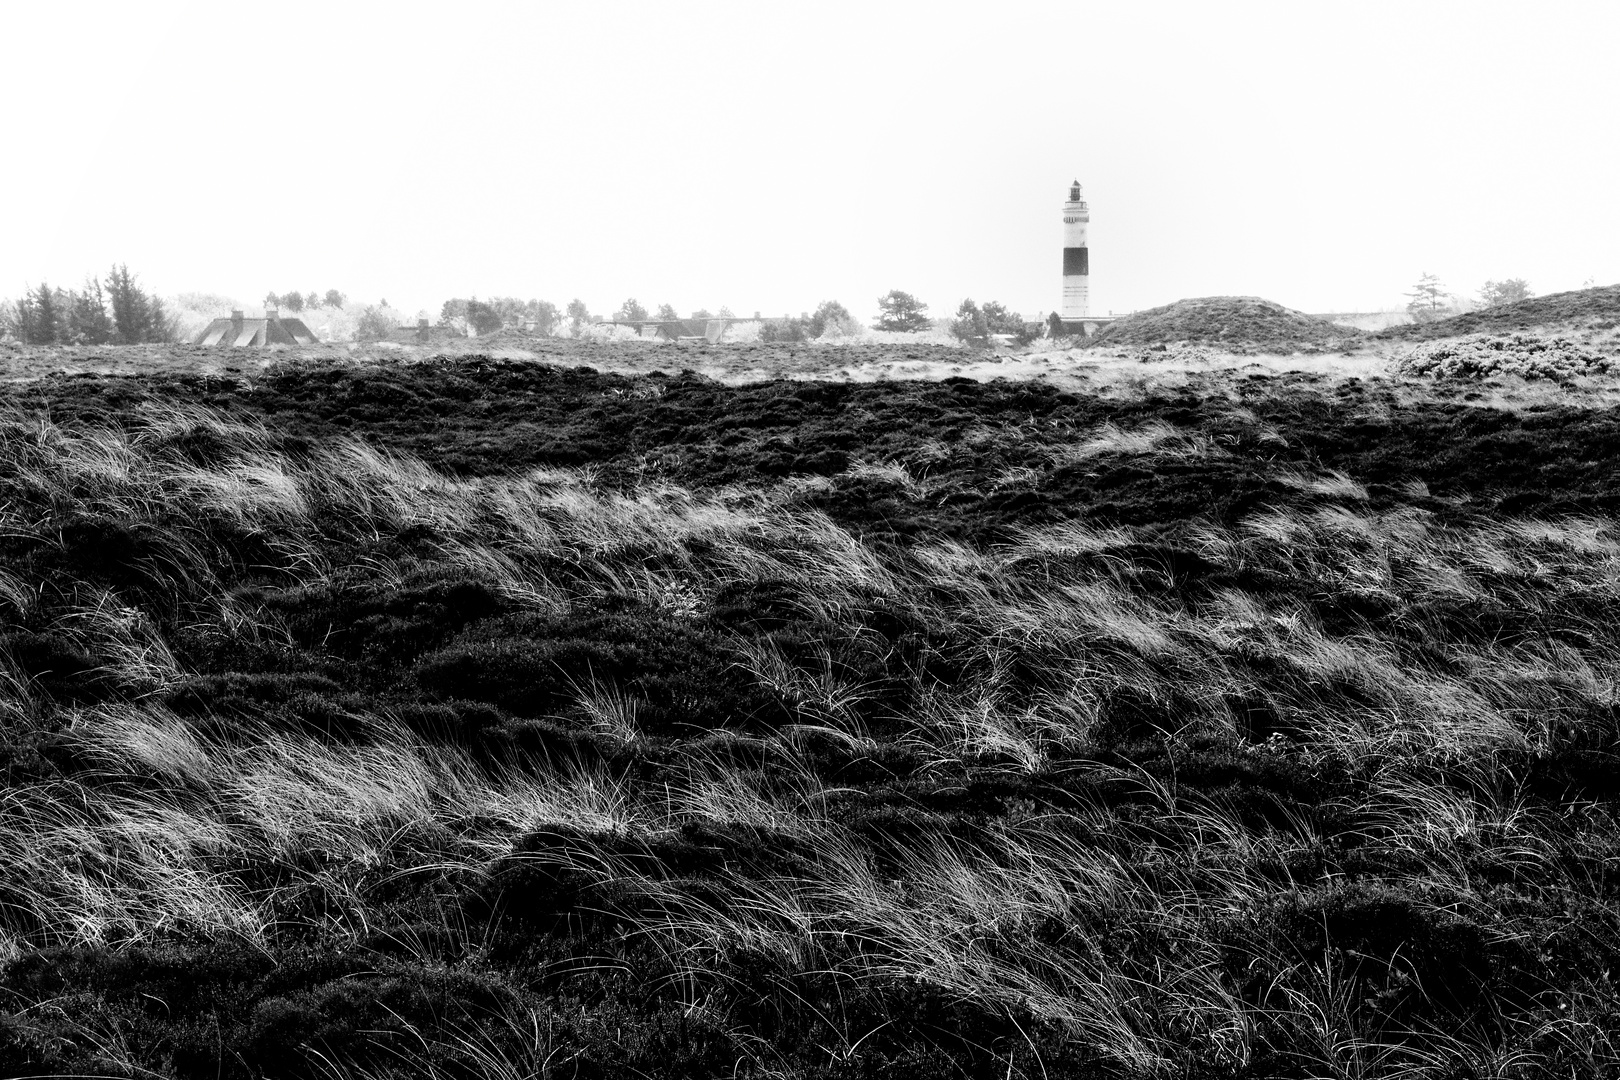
[(1238, 325)]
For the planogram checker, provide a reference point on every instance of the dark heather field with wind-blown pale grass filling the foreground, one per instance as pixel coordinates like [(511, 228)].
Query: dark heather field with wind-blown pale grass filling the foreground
[(602, 712)]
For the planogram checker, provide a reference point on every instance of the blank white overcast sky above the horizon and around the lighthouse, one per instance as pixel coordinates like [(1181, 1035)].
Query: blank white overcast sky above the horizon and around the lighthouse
[(774, 156)]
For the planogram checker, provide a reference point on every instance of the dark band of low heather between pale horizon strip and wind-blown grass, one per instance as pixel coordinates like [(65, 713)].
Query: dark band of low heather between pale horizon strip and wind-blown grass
[(957, 459)]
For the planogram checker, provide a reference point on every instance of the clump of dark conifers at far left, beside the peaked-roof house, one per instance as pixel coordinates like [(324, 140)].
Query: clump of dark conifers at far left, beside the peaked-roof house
[(113, 312)]
